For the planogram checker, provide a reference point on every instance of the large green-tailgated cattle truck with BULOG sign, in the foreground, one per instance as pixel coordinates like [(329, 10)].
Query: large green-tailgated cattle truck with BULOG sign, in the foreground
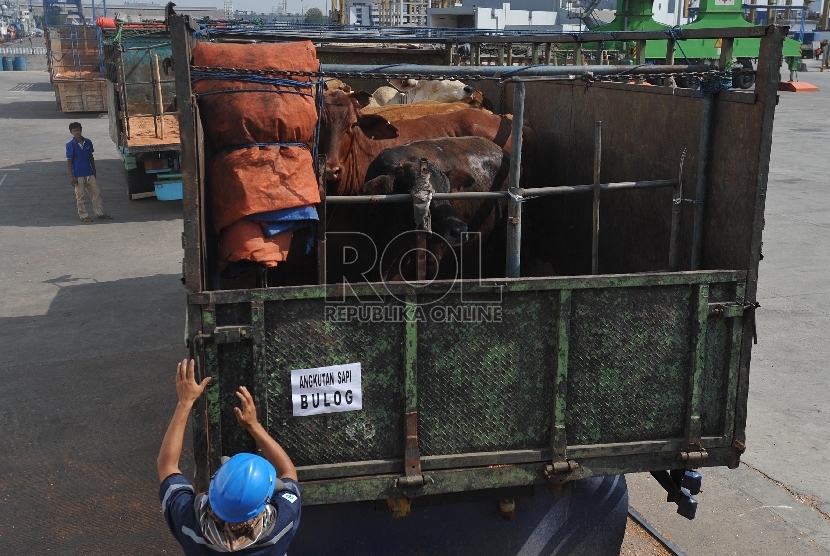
[(627, 350)]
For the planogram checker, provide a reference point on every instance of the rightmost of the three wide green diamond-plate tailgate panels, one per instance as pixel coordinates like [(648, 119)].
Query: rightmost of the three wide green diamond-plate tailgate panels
[(629, 364)]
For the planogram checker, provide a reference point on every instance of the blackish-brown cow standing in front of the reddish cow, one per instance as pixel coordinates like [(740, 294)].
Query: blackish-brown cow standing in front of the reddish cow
[(457, 164)]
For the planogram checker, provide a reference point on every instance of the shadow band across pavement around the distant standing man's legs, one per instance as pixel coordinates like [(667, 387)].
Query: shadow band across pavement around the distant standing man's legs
[(40, 192)]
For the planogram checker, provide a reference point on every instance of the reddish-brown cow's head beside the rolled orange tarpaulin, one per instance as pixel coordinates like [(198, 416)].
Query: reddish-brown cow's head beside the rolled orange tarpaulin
[(341, 120)]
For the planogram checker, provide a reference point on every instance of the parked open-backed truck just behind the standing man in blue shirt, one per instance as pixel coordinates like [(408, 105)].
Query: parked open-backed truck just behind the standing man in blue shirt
[(142, 109)]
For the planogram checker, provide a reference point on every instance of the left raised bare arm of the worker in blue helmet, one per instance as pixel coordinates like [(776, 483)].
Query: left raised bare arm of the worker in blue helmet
[(188, 391)]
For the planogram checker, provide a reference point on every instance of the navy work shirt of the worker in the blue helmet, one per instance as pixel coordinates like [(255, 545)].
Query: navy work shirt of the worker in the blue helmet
[(178, 502)]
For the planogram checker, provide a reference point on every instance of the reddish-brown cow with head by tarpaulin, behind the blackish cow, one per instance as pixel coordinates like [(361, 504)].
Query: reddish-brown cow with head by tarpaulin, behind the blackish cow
[(351, 140)]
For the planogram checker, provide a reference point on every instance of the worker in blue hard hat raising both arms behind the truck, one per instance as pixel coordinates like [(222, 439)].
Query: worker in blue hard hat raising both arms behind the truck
[(253, 503)]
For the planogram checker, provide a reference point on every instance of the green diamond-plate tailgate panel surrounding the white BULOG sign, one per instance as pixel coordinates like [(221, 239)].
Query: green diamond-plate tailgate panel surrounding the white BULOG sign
[(297, 337)]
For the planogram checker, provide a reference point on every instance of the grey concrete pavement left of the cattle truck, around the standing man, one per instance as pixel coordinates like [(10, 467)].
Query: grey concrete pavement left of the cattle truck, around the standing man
[(91, 326)]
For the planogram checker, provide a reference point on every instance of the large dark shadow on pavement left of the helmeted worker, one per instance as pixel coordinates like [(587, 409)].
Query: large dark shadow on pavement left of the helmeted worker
[(87, 395)]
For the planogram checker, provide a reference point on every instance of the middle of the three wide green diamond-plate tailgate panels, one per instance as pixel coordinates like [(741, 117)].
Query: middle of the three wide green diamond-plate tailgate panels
[(487, 386)]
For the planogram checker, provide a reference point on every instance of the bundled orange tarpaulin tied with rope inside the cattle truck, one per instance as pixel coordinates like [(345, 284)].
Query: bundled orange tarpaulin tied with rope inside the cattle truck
[(238, 112)]
